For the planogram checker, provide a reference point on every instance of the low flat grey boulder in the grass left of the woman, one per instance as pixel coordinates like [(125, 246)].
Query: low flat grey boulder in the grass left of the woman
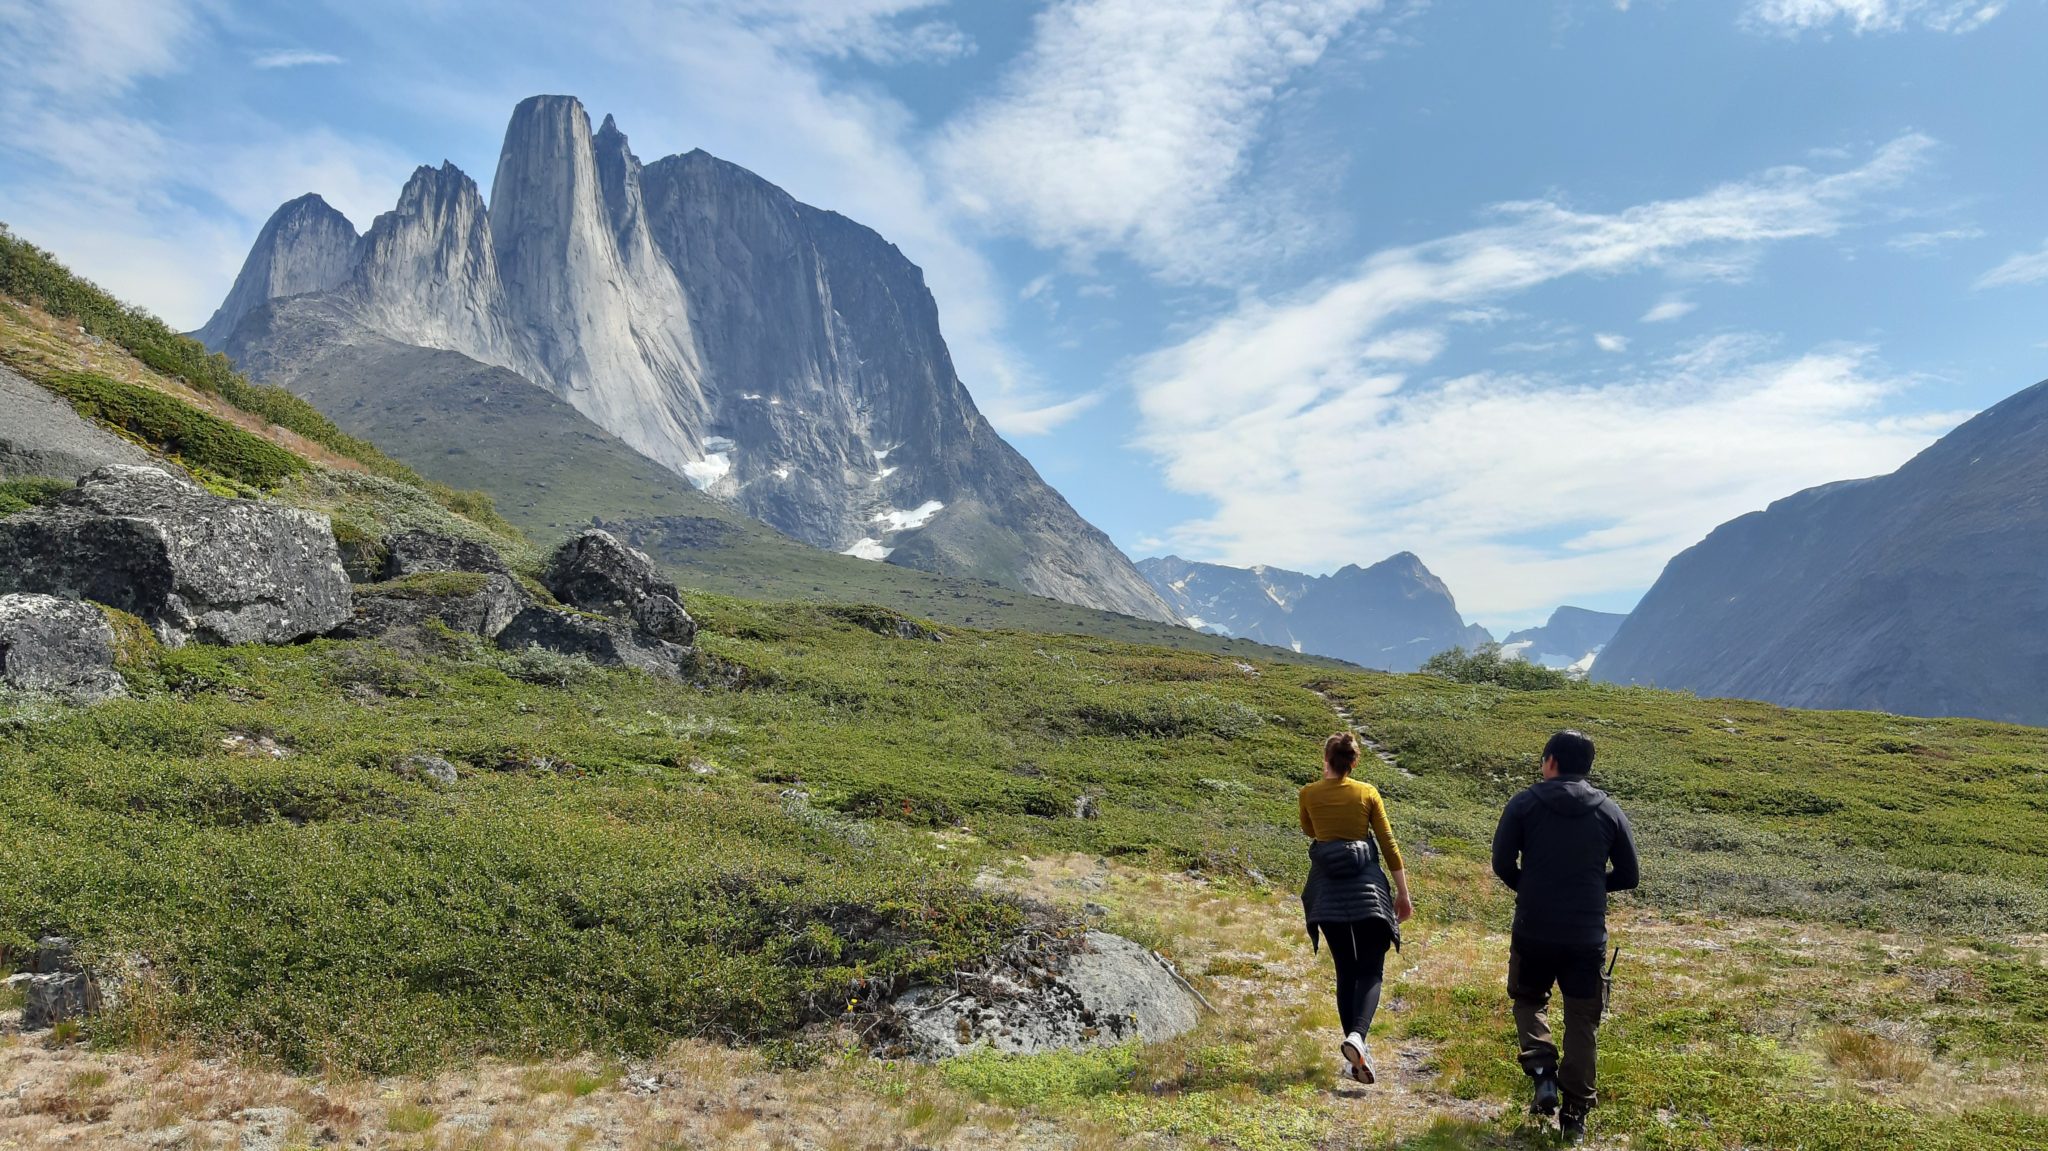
[(1103, 992)]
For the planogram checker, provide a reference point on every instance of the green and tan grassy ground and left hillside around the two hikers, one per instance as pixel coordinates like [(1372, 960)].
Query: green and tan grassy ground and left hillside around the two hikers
[(404, 886)]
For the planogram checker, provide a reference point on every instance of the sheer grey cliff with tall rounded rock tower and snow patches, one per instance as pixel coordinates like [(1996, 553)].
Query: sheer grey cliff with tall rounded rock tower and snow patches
[(779, 357)]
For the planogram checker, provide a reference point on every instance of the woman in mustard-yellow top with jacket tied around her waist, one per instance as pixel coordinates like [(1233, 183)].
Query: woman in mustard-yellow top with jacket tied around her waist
[(1347, 898)]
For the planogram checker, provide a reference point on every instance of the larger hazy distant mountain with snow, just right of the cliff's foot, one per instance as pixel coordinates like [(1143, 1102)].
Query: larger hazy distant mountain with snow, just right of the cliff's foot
[(1392, 615)]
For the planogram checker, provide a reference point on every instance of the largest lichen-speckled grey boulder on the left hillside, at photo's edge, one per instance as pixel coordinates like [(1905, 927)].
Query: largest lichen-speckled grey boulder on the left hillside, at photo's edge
[(191, 564)]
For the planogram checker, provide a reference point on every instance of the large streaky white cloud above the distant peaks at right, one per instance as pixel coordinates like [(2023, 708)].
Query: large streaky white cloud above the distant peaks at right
[(1623, 470)]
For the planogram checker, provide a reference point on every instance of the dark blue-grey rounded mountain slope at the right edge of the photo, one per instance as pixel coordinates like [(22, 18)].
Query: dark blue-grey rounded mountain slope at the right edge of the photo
[(1920, 593)]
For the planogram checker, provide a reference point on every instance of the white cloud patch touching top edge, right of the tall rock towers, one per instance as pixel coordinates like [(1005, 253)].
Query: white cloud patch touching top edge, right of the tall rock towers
[(1129, 126)]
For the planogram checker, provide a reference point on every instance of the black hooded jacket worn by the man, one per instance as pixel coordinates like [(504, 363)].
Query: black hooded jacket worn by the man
[(1553, 849)]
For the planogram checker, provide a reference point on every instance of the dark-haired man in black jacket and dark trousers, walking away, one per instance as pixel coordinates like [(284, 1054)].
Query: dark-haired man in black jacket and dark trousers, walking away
[(1562, 847)]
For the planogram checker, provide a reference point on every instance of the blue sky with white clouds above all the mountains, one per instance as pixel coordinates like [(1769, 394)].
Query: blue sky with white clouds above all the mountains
[(1541, 292)]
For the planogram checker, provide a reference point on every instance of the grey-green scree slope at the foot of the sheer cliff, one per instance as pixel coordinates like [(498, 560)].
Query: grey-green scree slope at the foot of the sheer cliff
[(552, 472)]
